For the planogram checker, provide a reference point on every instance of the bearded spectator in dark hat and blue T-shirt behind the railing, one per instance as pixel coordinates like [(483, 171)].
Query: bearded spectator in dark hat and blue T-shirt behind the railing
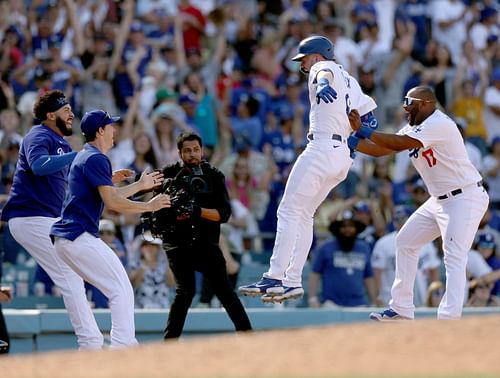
[(343, 266)]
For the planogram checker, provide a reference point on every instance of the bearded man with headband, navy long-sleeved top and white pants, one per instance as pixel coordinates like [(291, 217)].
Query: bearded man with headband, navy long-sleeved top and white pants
[(35, 203)]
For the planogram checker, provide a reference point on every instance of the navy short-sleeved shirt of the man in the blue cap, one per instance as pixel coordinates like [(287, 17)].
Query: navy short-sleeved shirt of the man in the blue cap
[(83, 206)]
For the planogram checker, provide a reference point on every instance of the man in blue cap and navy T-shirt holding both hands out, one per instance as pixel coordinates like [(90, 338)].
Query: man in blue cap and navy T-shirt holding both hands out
[(75, 235)]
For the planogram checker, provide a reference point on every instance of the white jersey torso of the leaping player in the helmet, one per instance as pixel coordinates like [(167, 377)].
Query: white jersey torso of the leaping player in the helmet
[(327, 119)]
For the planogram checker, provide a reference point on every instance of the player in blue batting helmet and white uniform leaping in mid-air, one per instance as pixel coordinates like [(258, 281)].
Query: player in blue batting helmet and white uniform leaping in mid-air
[(320, 168)]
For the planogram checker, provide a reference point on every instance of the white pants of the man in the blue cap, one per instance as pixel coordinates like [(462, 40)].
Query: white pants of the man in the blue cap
[(97, 264)]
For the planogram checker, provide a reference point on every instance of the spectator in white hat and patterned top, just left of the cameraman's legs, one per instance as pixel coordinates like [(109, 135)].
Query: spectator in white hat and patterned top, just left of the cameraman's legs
[(150, 274)]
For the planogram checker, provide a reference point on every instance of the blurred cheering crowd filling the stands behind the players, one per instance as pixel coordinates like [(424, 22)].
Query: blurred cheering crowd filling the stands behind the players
[(222, 68)]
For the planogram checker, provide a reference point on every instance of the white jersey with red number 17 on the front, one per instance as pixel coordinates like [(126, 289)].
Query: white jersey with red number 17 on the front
[(442, 163)]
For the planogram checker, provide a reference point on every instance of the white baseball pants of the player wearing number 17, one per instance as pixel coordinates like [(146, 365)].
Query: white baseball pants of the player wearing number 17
[(456, 219)]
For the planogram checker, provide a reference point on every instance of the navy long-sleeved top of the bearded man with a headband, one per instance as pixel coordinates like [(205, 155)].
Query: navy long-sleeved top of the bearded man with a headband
[(33, 195)]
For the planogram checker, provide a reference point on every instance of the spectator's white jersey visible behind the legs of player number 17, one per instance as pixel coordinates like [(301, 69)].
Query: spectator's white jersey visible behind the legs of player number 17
[(384, 258)]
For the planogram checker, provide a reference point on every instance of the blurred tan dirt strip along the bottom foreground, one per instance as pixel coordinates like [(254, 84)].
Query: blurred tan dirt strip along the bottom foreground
[(425, 348)]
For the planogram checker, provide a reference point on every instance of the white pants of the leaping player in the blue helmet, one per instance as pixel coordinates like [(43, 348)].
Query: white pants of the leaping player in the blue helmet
[(320, 168)]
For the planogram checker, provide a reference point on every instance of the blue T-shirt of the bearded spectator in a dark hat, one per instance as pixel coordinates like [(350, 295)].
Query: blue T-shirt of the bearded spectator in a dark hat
[(343, 273)]
